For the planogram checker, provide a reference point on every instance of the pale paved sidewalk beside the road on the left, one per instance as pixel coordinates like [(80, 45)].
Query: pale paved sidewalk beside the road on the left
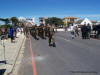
[(11, 53)]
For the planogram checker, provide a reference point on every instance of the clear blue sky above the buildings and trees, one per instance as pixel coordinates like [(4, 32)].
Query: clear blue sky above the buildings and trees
[(49, 8)]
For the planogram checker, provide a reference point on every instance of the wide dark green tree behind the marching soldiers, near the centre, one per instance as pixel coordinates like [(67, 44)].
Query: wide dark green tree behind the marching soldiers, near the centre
[(56, 21)]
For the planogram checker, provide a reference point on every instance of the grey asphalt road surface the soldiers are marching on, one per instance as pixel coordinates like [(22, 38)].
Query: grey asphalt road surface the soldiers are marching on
[(70, 57)]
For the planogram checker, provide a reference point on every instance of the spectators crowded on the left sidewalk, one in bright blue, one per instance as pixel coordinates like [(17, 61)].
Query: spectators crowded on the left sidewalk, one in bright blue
[(10, 32)]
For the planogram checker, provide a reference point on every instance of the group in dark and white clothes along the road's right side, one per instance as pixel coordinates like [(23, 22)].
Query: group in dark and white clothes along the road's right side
[(85, 31)]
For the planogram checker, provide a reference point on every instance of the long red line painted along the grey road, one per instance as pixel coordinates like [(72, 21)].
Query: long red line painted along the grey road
[(33, 60)]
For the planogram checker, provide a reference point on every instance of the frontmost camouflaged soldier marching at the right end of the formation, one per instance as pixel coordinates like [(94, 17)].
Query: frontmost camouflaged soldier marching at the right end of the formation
[(51, 36)]
